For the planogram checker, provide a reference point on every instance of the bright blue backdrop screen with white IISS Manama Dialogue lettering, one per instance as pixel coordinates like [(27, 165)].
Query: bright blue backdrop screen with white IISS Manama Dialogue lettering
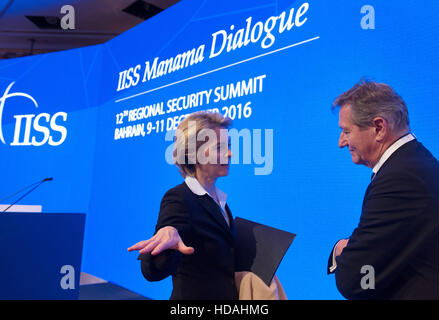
[(67, 115)]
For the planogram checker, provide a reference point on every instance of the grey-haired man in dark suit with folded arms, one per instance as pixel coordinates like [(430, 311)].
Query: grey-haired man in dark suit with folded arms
[(394, 251)]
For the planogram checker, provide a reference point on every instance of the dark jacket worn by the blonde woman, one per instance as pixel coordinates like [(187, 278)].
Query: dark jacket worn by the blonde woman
[(209, 272)]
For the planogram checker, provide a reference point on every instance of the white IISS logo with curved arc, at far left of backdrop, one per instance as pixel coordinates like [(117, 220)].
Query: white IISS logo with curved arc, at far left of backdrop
[(27, 125)]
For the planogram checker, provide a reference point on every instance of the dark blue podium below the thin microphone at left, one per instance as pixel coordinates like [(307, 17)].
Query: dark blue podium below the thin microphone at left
[(40, 255)]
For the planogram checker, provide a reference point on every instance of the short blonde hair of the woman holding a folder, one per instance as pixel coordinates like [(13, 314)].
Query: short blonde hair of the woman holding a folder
[(188, 130)]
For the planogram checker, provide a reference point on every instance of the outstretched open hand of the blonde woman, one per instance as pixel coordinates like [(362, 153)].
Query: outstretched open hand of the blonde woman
[(165, 238)]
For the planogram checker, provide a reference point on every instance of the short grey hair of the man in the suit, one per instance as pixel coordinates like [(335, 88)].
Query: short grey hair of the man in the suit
[(369, 99)]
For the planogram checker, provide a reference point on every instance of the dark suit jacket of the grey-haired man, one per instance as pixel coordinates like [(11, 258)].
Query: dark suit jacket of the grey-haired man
[(398, 232)]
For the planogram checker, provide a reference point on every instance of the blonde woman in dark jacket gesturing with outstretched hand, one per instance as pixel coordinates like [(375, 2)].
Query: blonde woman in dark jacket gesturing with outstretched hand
[(195, 236)]
